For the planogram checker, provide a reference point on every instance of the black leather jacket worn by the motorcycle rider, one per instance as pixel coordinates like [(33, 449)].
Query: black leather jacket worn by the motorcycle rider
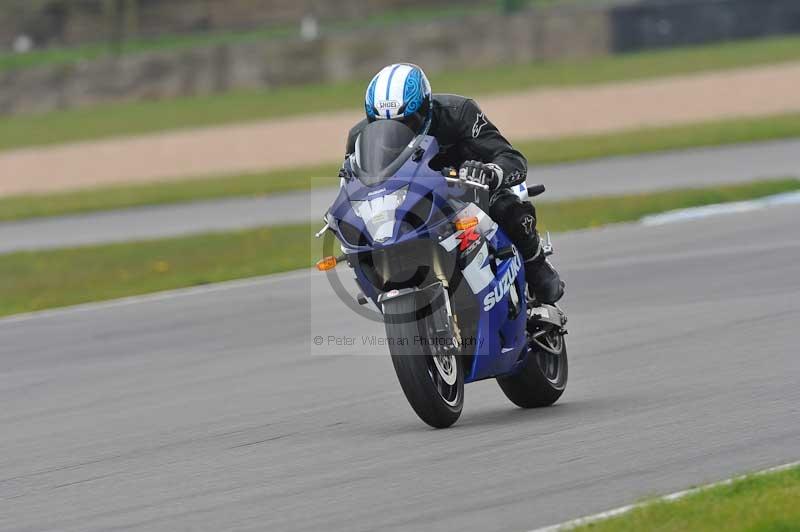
[(464, 133)]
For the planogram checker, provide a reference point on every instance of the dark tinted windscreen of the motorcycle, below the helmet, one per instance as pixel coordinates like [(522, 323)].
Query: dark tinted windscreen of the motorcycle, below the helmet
[(380, 145)]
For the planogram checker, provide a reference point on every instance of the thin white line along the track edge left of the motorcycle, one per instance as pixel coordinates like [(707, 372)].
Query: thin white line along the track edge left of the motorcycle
[(158, 296)]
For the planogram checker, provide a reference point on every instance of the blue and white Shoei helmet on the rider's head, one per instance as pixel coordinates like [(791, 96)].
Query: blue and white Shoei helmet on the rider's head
[(400, 92)]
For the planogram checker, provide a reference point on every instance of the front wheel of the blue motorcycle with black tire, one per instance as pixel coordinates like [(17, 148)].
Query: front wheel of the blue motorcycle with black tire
[(434, 387)]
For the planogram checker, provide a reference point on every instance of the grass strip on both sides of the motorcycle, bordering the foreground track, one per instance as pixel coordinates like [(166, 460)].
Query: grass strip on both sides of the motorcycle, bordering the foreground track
[(38, 280)]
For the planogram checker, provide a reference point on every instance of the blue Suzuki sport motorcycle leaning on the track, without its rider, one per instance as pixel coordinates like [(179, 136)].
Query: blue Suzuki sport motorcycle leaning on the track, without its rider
[(449, 285)]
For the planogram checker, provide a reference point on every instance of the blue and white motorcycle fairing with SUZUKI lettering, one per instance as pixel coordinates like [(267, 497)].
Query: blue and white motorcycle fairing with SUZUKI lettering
[(499, 345)]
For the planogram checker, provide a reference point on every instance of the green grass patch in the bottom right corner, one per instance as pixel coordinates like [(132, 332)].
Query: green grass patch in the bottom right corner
[(758, 503)]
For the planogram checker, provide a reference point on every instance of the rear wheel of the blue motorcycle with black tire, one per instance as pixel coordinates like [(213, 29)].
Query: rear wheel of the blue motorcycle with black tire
[(544, 378)]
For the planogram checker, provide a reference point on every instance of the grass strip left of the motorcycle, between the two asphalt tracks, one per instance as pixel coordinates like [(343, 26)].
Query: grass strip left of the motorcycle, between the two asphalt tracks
[(40, 280)]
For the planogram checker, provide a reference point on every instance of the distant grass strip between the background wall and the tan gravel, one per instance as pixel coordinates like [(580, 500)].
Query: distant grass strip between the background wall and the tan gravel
[(119, 119)]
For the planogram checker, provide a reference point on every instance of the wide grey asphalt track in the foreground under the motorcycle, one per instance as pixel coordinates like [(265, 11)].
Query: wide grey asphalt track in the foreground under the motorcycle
[(211, 410)]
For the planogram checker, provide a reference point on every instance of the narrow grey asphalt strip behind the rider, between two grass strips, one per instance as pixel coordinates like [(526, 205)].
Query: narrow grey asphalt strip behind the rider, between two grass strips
[(617, 175)]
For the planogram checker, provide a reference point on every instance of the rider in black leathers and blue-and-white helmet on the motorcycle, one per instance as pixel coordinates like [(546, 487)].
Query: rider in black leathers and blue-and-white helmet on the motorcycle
[(468, 140)]
